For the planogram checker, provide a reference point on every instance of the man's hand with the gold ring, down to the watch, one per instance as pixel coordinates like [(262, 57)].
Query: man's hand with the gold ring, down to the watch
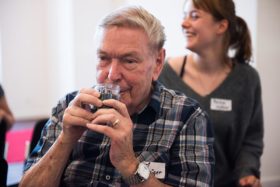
[(115, 123)]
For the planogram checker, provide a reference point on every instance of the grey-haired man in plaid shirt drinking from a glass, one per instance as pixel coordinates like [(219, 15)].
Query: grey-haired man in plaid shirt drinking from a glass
[(151, 136)]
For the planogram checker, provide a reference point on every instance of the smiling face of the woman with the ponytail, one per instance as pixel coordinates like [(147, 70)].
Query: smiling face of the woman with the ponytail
[(200, 28)]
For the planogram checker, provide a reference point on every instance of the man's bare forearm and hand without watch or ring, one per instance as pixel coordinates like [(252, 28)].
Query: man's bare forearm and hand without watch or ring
[(49, 169)]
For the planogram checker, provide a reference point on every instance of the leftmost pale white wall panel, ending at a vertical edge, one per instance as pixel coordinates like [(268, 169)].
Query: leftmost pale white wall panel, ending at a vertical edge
[(25, 72)]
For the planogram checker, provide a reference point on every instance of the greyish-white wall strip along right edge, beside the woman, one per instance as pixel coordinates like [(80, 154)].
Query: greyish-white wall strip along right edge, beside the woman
[(268, 57)]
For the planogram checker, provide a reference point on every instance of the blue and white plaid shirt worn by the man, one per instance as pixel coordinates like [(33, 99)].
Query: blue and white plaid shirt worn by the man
[(172, 130)]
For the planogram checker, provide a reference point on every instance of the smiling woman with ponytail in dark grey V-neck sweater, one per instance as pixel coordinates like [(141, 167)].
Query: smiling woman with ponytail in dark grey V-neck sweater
[(226, 86)]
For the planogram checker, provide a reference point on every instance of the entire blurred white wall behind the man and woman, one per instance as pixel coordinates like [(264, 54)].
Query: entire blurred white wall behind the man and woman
[(47, 49)]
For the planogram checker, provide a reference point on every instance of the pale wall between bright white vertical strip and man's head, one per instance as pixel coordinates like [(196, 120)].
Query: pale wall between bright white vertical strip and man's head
[(87, 14)]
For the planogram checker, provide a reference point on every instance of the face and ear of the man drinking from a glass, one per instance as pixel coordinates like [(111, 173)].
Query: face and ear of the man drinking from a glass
[(126, 59)]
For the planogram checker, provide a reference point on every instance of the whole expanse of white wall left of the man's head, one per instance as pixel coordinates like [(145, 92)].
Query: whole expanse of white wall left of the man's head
[(46, 51)]
